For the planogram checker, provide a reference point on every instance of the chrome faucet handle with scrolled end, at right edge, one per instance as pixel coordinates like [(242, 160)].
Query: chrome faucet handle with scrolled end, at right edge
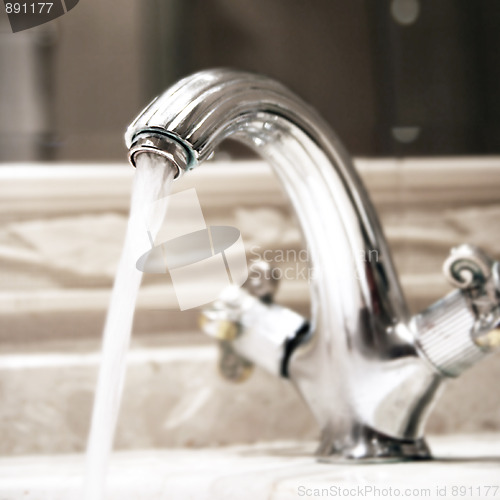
[(462, 328)]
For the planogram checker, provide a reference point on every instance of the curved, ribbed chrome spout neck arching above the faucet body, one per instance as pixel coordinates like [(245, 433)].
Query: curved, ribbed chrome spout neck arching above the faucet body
[(348, 251)]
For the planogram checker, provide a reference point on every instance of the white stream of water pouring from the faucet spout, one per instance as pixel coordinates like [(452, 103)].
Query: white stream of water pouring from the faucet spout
[(153, 179)]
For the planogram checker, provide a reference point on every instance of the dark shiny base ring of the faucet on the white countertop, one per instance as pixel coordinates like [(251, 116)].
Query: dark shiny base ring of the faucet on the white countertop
[(366, 445)]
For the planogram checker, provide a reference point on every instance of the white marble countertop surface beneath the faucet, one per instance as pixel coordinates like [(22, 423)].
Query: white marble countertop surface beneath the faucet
[(271, 471)]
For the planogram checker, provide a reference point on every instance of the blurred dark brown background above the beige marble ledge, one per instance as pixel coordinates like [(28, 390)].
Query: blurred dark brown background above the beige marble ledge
[(393, 77)]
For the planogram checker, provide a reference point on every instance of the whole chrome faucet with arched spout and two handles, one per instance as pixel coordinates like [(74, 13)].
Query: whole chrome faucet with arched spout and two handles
[(369, 372)]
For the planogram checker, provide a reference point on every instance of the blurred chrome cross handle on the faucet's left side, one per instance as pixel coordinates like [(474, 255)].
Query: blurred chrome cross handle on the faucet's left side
[(245, 320)]
